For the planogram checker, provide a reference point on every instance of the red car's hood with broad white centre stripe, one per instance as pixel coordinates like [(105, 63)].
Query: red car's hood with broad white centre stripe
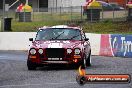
[(57, 44)]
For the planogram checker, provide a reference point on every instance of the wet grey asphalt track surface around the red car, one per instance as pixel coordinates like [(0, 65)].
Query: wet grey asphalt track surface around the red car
[(14, 73)]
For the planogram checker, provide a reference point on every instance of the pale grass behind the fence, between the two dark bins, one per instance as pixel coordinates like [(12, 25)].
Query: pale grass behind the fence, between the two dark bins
[(56, 16)]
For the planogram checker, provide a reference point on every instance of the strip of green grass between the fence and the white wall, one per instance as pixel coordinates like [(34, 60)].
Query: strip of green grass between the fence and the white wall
[(106, 27)]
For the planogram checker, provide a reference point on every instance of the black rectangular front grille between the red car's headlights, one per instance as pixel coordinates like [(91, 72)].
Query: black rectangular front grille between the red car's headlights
[(55, 52)]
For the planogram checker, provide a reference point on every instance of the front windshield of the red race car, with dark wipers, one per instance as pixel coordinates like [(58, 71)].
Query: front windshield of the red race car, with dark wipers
[(58, 34)]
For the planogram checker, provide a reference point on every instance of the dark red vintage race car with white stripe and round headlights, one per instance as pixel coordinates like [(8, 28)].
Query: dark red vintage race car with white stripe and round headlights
[(59, 44)]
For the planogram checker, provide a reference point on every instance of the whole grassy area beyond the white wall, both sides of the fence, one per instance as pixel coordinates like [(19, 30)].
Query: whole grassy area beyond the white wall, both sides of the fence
[(48, 19)]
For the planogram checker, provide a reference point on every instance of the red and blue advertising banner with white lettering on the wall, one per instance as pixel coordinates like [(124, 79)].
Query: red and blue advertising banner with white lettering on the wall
[(116, 45)]
